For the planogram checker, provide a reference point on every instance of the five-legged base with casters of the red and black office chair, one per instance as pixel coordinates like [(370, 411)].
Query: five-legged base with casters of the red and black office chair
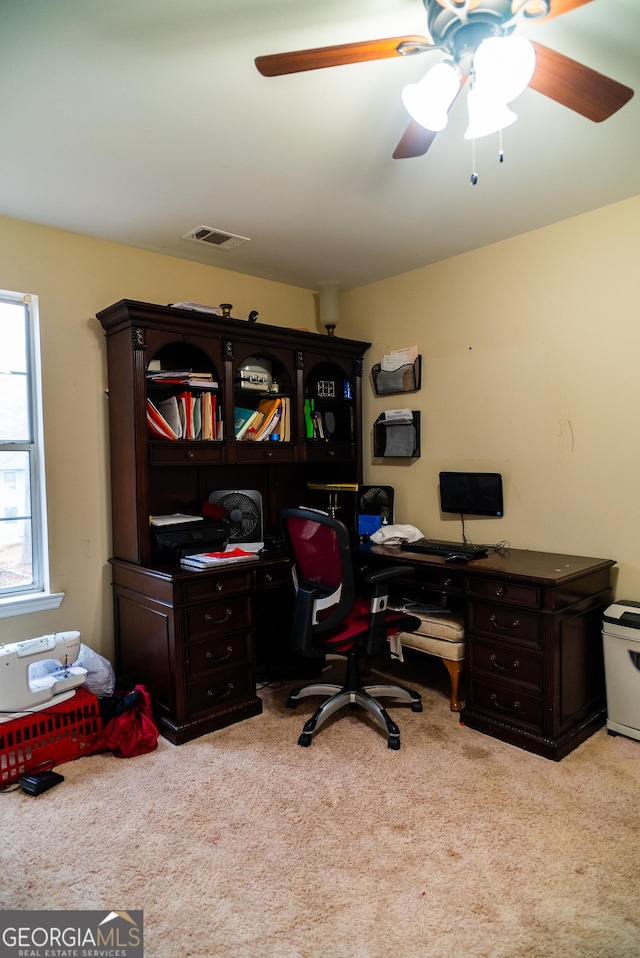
[(354, 694)]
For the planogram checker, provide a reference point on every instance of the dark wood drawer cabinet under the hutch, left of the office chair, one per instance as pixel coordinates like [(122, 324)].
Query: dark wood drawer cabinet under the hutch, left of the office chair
[(190, 637)]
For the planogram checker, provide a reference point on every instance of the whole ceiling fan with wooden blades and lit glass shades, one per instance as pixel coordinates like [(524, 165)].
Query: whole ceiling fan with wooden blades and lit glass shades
[(477, 38)]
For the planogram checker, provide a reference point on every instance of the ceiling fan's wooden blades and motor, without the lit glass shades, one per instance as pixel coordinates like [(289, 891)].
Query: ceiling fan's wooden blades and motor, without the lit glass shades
[(457, 28)]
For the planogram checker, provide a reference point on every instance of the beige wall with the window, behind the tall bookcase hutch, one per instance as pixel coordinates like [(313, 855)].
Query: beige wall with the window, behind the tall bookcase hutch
[(74, 277)]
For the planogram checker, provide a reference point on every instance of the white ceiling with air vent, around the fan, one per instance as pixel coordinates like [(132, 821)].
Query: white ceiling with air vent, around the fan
[(139, 120)]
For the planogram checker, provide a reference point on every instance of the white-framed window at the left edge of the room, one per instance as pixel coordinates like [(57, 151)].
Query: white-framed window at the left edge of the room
[(24, 567)]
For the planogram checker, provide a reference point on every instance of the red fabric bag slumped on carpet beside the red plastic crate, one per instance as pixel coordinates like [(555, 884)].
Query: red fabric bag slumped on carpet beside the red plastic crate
[(132, 729)]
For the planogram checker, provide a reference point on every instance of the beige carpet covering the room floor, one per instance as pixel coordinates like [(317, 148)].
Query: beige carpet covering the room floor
[(242, 844)]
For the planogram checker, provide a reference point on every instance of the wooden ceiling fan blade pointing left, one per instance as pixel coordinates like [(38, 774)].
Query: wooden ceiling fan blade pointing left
[(279, 64)]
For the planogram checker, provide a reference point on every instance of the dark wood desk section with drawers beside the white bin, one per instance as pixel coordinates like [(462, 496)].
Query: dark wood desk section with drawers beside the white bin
[(533, 648)]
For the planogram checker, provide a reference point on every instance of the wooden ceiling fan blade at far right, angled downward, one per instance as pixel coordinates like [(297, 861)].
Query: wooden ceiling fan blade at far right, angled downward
[(577, 87)]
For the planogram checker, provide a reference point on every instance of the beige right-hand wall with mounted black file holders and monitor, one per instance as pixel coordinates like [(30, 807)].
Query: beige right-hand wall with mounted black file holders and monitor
[(531, 368)]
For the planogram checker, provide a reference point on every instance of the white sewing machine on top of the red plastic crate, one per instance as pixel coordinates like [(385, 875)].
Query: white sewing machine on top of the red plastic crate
[(21, 693)]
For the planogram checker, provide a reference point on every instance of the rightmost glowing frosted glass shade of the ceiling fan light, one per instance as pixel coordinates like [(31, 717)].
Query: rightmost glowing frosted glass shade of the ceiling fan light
[(503, 66)]
